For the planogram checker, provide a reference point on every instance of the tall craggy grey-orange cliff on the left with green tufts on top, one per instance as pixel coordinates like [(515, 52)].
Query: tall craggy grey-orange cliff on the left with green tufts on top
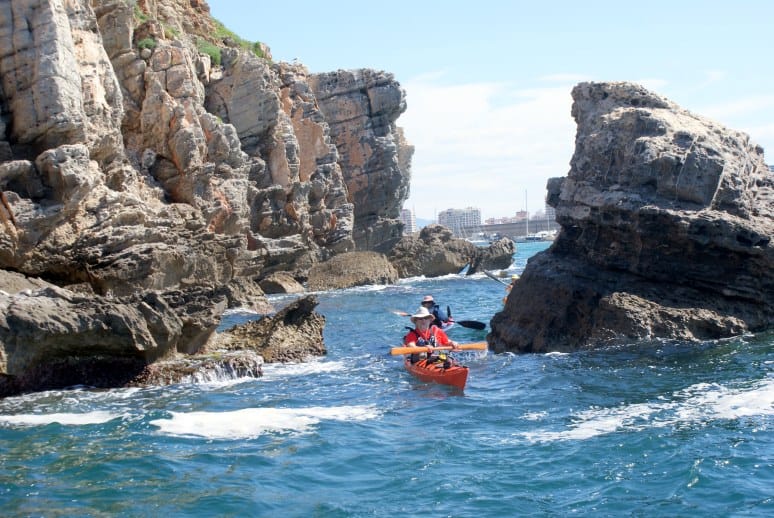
[(142, 148)]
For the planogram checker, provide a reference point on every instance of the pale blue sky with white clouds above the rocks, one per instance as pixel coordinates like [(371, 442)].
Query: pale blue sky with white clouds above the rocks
[(488, 83)]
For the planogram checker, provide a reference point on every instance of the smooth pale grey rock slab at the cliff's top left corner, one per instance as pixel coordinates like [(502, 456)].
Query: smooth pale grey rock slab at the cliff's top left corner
[(59, 88)]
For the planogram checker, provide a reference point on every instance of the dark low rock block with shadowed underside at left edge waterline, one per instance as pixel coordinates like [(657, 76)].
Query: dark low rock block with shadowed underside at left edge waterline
[(51, 338)]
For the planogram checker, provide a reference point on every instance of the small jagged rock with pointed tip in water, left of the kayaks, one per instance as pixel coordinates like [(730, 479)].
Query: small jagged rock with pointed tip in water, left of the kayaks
[(291, 335)]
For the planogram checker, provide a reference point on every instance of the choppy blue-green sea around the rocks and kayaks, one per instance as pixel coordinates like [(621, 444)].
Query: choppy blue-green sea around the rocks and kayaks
[(653, 428)]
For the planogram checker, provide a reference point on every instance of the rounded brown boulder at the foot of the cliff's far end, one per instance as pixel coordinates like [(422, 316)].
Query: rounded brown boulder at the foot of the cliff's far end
[(351, 269)]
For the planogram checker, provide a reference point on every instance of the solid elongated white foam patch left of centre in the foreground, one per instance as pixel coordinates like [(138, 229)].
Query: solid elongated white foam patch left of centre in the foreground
[(253, 422)]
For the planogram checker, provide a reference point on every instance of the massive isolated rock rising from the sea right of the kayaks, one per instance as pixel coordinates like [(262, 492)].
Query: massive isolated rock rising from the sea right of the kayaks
[(666, 226)]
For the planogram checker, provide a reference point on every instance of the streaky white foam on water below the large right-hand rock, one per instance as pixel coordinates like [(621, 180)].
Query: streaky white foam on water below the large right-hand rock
[(699, 403)]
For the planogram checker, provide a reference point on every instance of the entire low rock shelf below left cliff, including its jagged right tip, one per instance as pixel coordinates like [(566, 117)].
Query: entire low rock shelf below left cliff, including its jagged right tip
[(51, 337)]
